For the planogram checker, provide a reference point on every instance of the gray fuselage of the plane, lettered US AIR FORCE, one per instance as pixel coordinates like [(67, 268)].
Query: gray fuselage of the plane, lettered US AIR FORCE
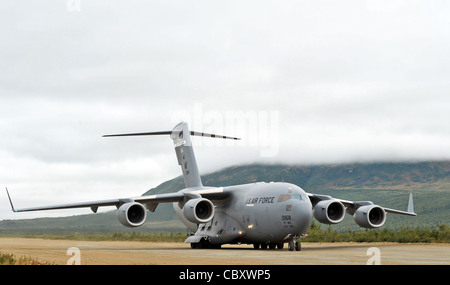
[(256, 213)]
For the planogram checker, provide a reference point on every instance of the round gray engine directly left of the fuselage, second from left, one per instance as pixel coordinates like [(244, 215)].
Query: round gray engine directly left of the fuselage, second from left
[(199, 210)]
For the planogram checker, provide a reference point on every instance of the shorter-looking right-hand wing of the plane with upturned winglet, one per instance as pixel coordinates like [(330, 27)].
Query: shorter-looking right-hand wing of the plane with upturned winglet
[(352, 206)]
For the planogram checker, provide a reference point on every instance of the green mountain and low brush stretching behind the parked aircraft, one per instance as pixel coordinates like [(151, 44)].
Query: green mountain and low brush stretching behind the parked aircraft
[(387, 184)]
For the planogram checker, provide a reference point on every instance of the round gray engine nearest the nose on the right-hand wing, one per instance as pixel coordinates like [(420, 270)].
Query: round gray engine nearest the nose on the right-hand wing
[(329, 212)]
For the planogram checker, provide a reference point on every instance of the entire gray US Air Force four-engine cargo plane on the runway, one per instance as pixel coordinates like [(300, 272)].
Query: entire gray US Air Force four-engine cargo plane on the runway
[(267, 215)]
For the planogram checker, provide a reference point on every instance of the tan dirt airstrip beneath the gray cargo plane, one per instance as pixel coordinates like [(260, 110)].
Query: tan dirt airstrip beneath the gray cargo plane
[(143, 253)]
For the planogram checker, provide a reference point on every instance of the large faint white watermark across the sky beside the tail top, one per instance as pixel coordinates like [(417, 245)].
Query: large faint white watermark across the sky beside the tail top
[(255, 128)]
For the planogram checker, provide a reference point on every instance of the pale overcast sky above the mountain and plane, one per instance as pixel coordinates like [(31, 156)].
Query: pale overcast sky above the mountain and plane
[(300, 81)]
